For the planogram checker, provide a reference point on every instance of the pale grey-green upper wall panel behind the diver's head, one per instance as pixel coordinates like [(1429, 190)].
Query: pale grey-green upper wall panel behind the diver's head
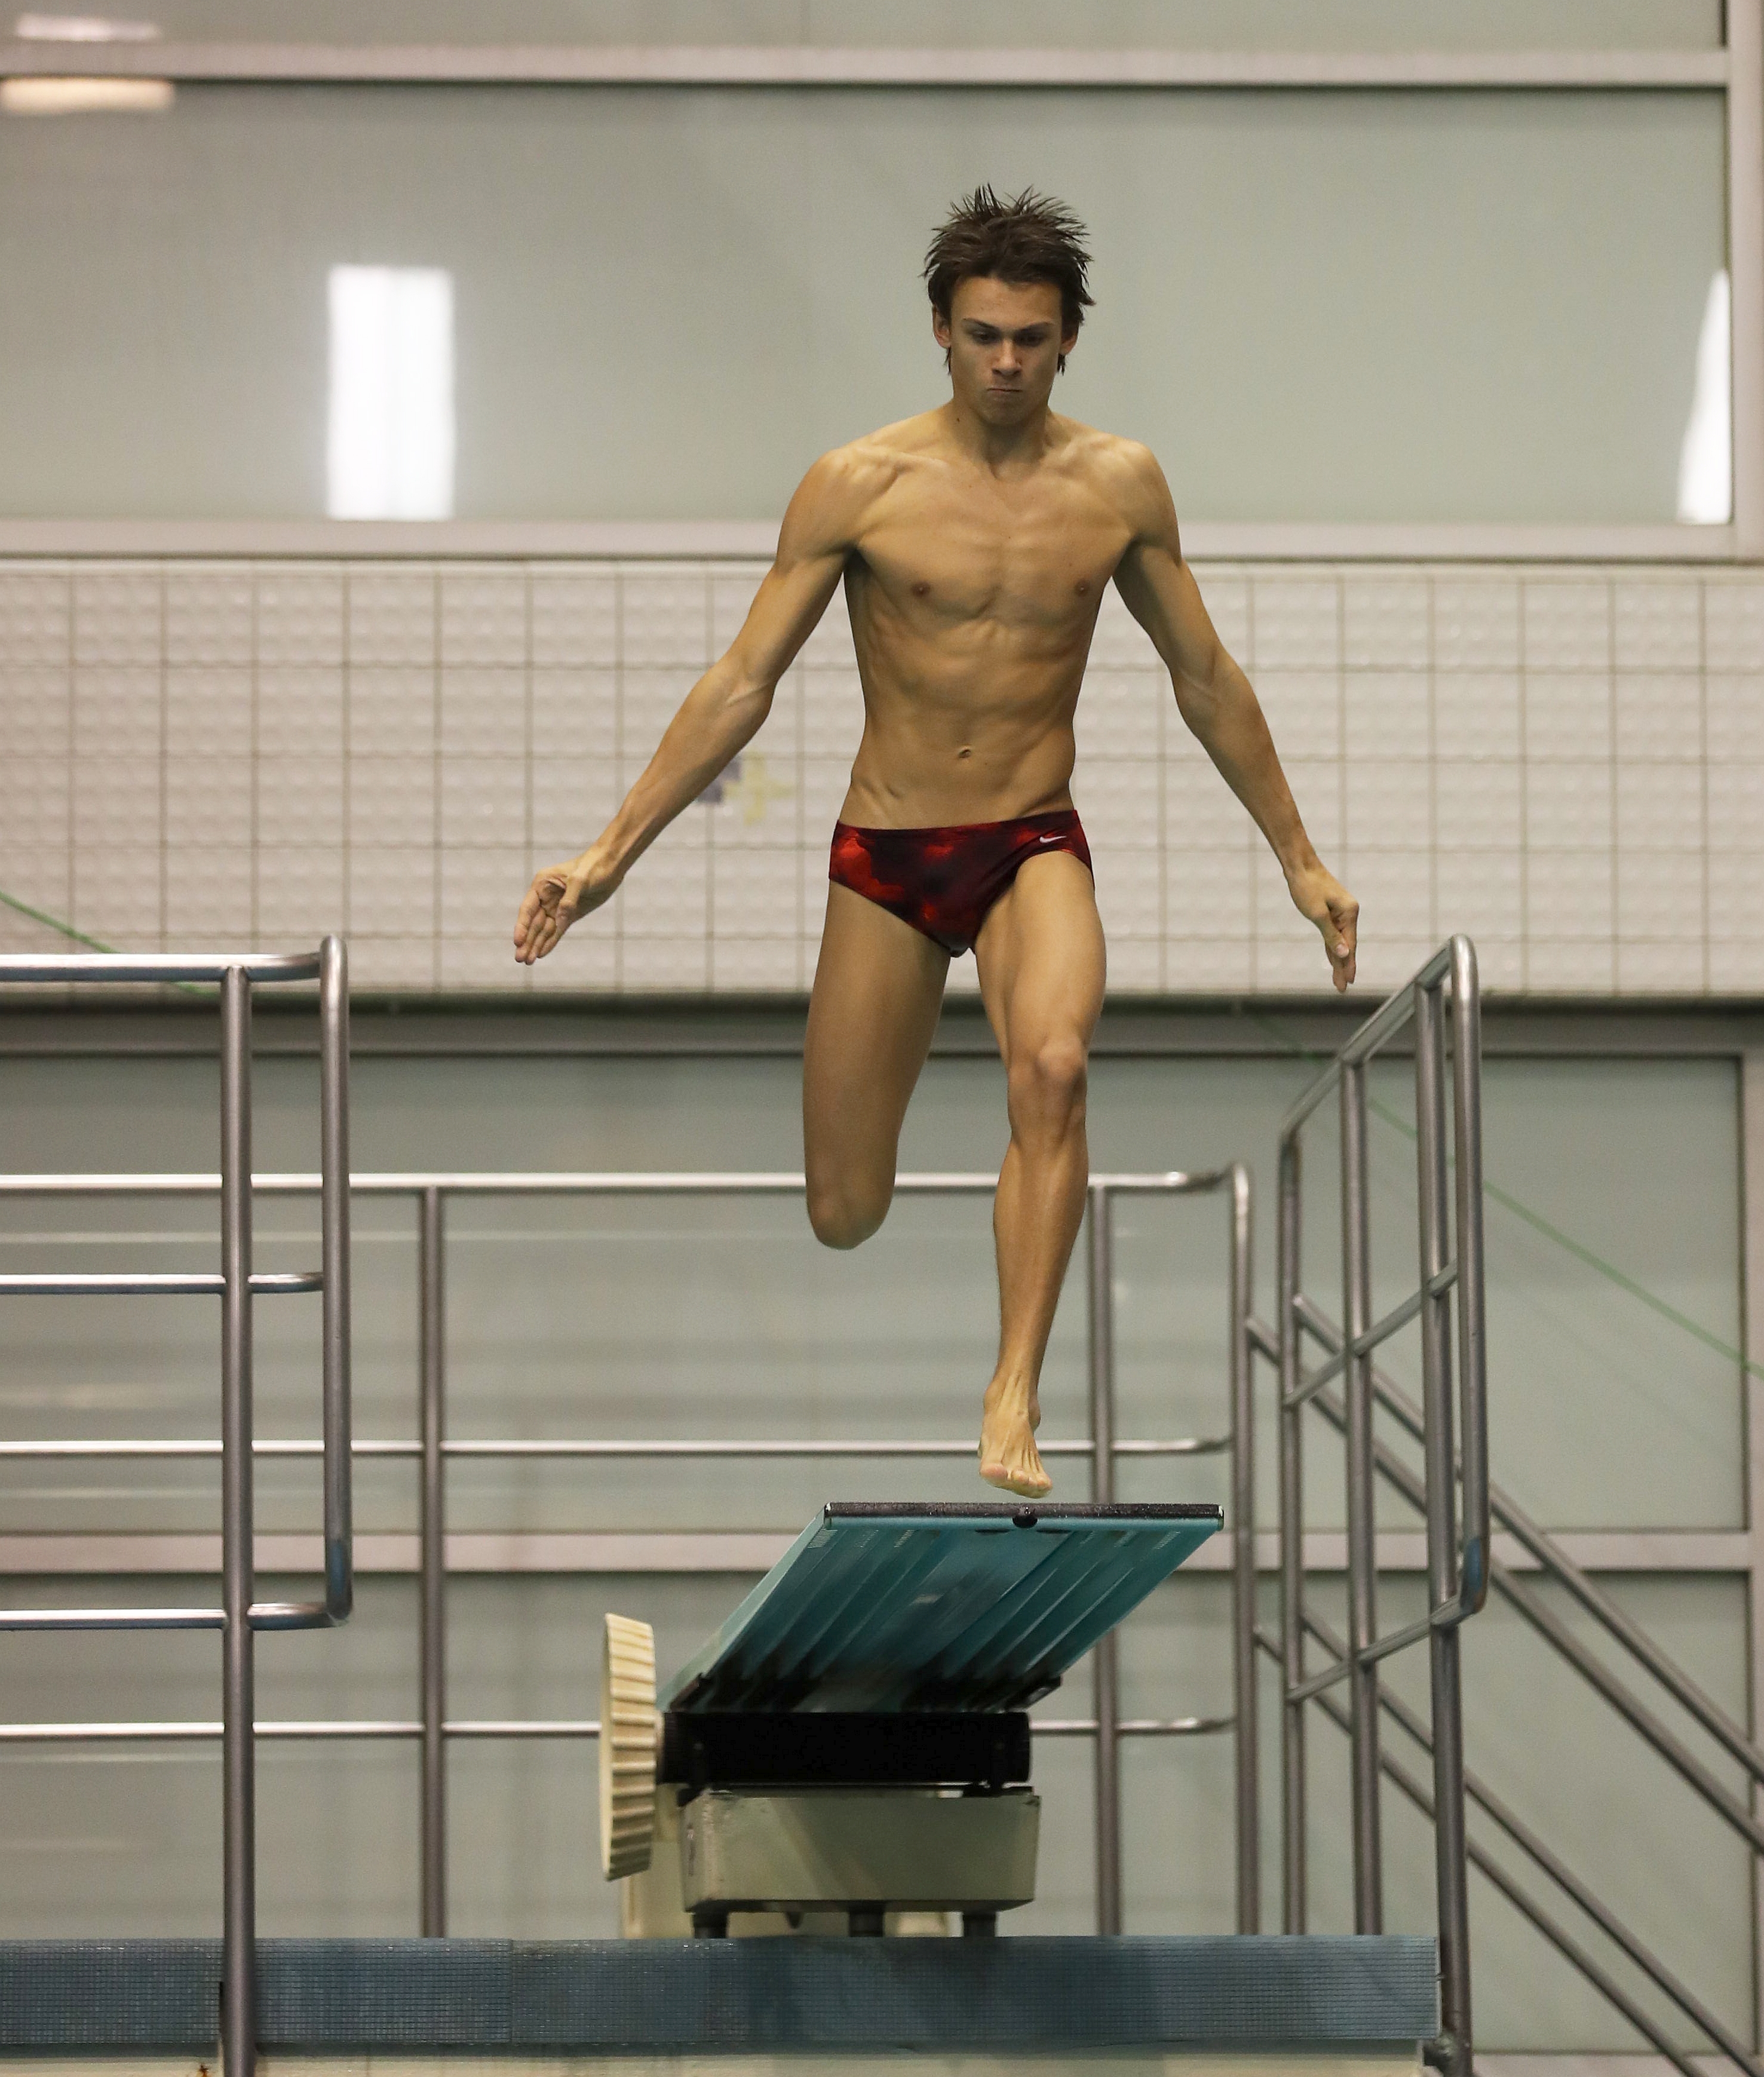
[(668, 302)]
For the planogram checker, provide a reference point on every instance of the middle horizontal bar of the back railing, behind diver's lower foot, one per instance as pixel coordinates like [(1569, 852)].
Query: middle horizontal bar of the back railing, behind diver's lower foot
[(593, 1449)]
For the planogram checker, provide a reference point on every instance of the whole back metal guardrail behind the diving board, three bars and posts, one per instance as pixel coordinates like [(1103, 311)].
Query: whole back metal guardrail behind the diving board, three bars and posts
[(433, 1451)]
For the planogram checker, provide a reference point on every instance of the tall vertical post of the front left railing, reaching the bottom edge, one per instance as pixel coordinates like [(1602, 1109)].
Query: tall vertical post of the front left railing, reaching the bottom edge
[(238, 1698)]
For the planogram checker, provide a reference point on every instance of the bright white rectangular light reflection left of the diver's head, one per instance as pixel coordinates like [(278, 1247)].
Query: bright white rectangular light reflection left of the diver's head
[(390, 450)]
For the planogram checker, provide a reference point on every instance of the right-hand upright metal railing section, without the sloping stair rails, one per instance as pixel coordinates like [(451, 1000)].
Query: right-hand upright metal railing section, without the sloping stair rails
[(1449, 1295)]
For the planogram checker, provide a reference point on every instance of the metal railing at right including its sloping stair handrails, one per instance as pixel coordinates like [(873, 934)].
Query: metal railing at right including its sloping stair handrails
[(1487, 1507)]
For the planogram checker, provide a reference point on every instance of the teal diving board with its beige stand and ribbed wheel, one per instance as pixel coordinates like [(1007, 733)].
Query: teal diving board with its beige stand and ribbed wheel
[(857, 1735)]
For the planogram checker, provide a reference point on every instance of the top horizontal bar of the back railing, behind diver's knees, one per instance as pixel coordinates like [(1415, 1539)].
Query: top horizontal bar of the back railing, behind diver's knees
[(572, 1183)]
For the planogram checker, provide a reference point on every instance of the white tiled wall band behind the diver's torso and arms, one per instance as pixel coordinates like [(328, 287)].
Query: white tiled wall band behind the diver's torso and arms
[(1566, 763)]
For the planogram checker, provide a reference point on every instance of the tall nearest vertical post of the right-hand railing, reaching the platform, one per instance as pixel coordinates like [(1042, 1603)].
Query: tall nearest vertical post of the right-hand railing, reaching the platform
[(1451, 1874)]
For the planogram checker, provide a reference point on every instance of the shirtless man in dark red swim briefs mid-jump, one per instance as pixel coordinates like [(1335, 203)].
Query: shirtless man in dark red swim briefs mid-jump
[(973, 543)]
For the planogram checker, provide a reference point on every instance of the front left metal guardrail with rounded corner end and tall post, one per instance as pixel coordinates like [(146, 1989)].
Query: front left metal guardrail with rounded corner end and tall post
[(240, 1615)]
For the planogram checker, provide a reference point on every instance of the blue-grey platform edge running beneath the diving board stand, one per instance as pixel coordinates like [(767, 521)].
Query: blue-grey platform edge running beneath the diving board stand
[(734, 2007)]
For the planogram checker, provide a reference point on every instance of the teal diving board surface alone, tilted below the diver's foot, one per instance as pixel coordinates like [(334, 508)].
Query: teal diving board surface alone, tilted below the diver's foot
[(936, 1607)]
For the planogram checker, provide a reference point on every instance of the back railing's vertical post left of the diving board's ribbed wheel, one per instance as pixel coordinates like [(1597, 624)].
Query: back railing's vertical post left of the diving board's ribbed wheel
[(433, 1561)]
